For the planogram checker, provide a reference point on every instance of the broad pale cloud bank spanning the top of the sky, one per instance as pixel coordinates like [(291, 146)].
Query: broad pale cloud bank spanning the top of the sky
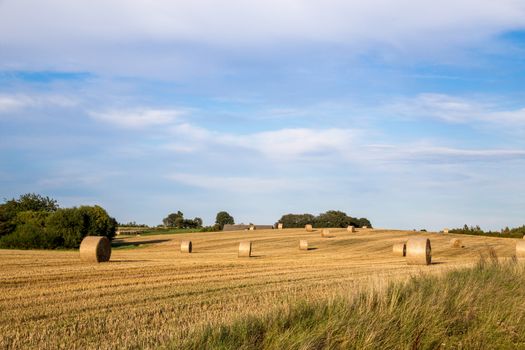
[(136, 37)]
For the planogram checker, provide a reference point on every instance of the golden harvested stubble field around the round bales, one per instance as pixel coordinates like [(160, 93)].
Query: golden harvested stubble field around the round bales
[(146, 297)]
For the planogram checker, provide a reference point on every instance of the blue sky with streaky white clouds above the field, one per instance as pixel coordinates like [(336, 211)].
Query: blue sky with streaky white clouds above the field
[(410, 113)]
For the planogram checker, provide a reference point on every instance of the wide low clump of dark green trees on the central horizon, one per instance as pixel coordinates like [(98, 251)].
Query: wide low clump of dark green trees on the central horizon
[(332, 218)]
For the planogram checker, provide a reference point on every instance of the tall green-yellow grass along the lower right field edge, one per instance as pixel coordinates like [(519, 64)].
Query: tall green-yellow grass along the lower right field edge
[(476, 308)]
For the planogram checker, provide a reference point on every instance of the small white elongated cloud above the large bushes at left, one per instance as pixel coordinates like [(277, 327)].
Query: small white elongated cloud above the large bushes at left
[(138, 118)]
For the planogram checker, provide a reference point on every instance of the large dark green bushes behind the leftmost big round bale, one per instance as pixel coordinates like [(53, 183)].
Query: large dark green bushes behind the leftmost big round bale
[(46, 226)]
